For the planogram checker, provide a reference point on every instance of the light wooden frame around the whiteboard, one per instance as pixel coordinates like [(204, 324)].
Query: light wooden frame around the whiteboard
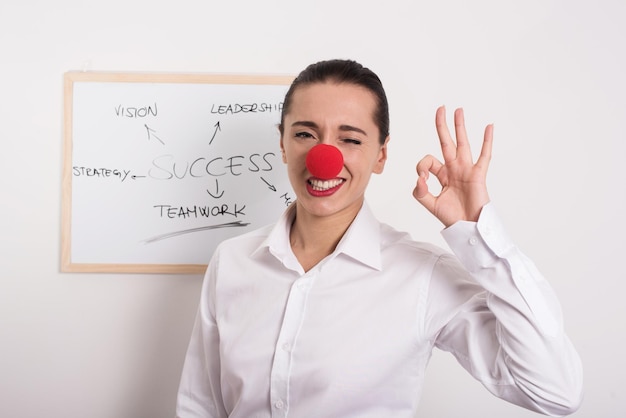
[(72, 77)]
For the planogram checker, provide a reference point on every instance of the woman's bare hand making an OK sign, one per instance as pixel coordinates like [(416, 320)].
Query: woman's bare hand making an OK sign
[(464, 189)]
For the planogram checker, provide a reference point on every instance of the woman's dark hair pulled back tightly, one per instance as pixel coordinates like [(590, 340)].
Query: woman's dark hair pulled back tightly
[(343, 71)]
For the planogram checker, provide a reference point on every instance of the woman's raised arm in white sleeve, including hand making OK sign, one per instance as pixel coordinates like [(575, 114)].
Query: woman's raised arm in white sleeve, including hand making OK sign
[(502, 320)]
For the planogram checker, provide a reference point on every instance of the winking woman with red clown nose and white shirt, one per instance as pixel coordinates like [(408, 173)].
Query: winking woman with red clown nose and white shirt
[(329, 313)]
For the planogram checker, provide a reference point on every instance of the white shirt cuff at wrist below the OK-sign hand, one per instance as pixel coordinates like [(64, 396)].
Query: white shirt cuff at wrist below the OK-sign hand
[(479, 244)]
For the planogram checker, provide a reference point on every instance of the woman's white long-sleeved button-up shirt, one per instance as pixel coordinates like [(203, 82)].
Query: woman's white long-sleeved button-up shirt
[(352, 336)]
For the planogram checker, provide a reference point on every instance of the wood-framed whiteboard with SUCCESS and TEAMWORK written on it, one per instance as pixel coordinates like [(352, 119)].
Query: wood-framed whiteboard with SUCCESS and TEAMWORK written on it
[(160, 168)]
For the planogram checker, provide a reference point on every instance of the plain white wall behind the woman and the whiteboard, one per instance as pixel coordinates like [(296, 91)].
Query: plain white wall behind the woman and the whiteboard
[(549, 73)]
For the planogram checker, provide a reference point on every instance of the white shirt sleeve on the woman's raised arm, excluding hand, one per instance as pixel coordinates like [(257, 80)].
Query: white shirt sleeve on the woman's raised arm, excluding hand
[(495, 312)]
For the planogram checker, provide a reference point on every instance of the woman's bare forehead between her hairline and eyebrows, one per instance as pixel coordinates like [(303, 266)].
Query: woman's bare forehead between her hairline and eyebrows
[(333, 101)]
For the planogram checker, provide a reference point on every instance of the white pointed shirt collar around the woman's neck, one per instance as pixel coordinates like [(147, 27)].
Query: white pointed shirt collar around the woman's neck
[(360, 242)]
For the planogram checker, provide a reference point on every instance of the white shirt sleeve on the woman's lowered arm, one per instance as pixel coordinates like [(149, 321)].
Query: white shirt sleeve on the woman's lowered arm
[(199, 393)]
